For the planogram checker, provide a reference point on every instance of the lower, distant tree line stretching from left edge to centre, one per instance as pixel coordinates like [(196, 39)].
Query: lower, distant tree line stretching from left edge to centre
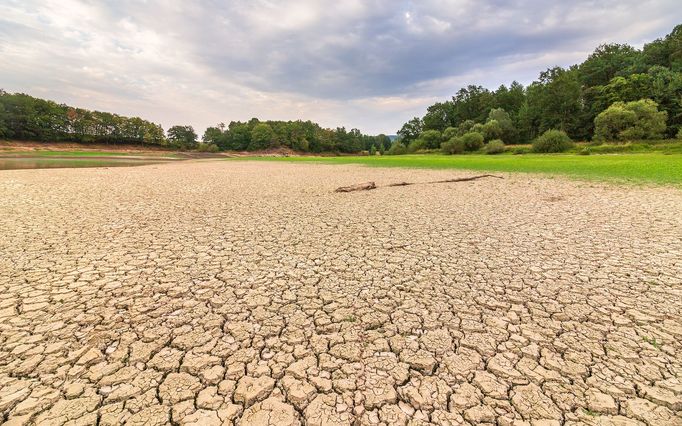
[(24, 117)]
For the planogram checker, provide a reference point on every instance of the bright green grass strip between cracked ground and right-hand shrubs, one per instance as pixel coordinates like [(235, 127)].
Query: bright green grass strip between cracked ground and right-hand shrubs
[(633, 168)]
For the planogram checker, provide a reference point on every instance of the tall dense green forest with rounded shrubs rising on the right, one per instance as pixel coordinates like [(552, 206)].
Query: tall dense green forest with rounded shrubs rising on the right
[(618, 92)]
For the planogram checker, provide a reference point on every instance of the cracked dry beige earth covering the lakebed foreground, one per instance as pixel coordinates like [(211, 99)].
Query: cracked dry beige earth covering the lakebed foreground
[(225, 292)]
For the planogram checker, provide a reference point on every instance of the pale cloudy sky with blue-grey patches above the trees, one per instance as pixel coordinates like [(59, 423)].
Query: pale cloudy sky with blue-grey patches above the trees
[(369, 64)]
